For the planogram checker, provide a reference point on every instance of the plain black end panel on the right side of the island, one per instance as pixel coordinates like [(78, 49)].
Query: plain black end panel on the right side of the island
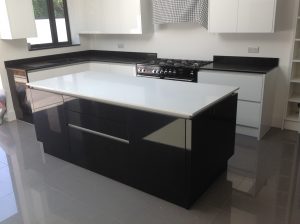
[(213, 139)]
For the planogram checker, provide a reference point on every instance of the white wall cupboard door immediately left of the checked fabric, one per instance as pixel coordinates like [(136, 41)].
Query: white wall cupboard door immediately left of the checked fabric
[(130, 16)]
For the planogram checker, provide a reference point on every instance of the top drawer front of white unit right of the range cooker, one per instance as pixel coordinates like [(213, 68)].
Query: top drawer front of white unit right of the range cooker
[(251, 86)]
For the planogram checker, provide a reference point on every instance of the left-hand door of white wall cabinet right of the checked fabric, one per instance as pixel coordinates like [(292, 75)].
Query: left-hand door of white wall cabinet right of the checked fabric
[(223, 16)]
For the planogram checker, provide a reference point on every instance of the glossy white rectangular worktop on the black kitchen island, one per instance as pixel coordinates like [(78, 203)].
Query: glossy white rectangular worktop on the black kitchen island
[(175, 98)]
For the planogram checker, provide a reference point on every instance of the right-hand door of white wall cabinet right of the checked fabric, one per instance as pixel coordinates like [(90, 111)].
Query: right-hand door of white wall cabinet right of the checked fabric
[(256, 16)]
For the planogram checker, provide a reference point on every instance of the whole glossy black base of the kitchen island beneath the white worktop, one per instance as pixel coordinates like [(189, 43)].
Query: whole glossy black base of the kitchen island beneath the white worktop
[(173, 158)]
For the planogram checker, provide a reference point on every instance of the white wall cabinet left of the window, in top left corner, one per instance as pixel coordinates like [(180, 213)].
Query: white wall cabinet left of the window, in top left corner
[(17, 19)]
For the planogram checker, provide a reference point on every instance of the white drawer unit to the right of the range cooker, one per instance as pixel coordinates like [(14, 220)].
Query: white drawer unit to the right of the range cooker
[(255, 98)]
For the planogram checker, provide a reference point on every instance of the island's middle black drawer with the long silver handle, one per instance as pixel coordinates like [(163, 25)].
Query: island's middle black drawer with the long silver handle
[(97, 126)]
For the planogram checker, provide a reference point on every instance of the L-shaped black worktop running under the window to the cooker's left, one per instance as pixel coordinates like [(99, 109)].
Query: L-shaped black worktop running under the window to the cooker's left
[(43, 62)]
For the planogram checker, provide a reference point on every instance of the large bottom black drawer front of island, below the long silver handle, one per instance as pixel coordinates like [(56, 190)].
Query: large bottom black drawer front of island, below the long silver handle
[(99, 154)]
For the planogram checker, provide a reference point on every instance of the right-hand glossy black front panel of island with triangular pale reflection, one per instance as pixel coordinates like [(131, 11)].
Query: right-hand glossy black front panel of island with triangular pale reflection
[(157, 163)]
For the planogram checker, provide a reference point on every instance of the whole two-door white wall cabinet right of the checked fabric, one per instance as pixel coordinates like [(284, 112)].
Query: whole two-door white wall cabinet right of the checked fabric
[(242, 16)]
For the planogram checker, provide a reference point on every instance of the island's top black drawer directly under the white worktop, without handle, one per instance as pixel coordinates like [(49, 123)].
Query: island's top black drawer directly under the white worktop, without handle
[(100, 110)]
